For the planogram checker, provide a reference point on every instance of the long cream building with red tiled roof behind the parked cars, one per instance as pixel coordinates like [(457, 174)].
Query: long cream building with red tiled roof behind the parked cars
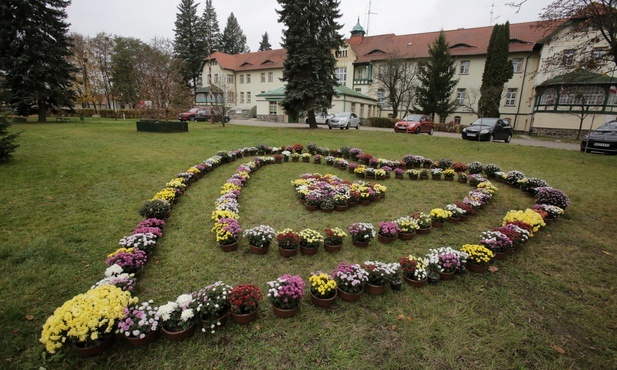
[(539, 51)]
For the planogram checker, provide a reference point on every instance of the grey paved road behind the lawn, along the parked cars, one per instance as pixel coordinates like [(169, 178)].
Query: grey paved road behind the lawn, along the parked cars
[(528, 141)]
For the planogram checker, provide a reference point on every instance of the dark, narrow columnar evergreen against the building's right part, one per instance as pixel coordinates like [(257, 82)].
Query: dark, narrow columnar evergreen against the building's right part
[(497, 71)]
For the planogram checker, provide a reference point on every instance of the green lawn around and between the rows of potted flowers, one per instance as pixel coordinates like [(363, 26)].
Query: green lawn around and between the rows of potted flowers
[(74, 189)]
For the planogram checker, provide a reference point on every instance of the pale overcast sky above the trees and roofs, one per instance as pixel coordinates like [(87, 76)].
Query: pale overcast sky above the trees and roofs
[(145, 19)]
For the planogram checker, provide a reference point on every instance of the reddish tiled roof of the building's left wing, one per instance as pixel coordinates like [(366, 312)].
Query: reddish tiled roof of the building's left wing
[(251, 61)]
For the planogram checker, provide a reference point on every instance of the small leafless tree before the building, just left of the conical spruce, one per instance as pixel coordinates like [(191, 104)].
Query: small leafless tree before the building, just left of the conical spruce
[(397, 76)]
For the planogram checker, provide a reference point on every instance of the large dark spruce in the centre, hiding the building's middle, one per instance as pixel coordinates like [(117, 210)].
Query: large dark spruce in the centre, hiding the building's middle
[(310, 36)]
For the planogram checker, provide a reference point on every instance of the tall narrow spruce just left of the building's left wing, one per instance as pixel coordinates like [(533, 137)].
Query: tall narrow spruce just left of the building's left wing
[(189, 42)]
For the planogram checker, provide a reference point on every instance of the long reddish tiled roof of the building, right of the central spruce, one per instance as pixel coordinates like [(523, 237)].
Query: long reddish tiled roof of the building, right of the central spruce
[(465, 41)]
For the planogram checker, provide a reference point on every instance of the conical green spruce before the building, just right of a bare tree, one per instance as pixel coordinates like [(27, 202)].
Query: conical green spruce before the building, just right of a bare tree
[(436, 79)]
